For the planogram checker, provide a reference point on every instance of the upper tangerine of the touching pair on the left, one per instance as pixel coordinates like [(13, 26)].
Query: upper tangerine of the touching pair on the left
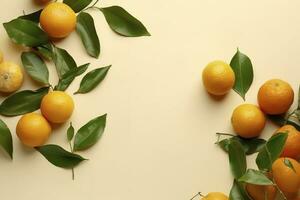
[(57, 106)]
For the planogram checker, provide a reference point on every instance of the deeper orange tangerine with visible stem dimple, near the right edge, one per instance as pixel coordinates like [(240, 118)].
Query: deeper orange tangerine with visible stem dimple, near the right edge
[(275, 97)]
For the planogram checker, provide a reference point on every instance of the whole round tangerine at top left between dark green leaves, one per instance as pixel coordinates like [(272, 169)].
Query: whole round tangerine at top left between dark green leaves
[(58, 20)]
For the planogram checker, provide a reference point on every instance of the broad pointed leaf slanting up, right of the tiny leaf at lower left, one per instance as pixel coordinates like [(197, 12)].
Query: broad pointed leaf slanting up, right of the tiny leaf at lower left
[(90, 133)]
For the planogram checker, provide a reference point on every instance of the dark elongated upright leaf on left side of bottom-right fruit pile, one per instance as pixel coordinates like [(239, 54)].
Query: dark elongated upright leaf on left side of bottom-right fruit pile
[(237, 159)]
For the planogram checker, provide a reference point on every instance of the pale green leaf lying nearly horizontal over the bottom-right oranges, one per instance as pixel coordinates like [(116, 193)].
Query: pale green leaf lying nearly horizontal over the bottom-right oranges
[(255, 177)]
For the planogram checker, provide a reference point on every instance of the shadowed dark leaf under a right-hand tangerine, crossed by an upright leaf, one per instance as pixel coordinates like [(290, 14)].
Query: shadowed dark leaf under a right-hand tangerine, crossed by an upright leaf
[(250, 146)]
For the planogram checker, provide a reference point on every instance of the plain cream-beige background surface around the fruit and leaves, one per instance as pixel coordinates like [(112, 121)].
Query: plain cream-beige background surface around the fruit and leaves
[(159, 141)]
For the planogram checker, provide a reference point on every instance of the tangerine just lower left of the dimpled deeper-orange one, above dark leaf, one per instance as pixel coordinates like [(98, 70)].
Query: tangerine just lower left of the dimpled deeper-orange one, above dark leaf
[(248, 120)]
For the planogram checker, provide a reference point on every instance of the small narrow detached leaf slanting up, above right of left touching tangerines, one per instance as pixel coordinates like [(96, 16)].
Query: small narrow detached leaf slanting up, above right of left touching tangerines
[(92, 79)]
